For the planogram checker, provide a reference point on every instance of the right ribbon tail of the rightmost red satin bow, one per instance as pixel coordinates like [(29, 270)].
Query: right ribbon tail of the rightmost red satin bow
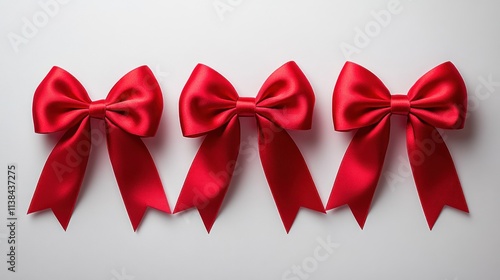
[(433, 170)]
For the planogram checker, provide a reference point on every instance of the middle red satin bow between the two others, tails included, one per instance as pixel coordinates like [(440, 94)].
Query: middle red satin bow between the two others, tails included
[(210, 105)]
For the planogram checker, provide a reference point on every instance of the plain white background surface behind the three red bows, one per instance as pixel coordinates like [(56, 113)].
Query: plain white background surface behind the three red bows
[(99, 41)]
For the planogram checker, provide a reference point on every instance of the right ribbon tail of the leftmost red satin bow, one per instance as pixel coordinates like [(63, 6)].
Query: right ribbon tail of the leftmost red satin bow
[(136, 174)]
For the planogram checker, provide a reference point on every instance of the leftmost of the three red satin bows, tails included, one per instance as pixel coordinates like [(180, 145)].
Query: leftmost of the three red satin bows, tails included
[(131, 110)]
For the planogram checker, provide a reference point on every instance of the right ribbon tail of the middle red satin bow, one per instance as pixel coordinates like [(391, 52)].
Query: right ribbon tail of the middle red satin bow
[(287, 173)]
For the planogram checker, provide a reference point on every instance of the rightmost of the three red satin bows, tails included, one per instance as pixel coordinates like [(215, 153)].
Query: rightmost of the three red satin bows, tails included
[(361, 101)]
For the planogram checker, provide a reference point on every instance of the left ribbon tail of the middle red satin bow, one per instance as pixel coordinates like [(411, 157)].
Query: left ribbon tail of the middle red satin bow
[(210, 173)]
